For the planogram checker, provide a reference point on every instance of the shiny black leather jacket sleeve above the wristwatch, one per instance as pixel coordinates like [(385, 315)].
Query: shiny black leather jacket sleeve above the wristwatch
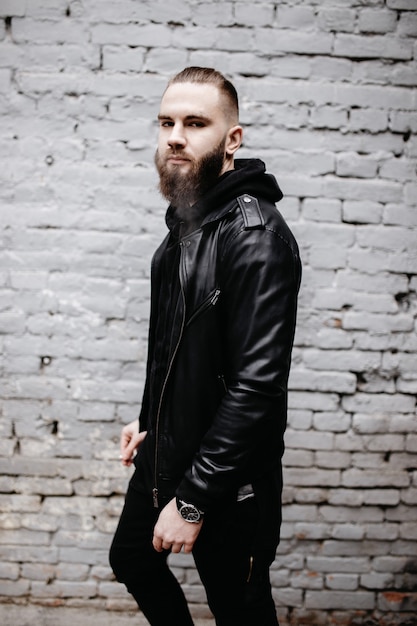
[(259, 282)]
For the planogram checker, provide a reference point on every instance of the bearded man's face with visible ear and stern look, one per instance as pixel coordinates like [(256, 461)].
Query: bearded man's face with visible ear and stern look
[(197, 141)]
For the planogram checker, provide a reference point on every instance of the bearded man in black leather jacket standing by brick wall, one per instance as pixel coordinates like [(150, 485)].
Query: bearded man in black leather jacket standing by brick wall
[(223, 306)]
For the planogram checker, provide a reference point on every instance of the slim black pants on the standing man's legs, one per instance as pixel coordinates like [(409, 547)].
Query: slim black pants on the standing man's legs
[(236, 580)]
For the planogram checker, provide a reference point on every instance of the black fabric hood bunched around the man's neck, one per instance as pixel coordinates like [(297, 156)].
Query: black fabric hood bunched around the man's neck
[(249, 176)]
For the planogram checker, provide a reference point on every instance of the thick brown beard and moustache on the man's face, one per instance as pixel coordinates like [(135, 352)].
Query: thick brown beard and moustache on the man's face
[(183, 189)]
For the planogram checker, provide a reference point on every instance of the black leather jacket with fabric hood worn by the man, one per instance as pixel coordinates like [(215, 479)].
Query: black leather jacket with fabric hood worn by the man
[(217, 420)]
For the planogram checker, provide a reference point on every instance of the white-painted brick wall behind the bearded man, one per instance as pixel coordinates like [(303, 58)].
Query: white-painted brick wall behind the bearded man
[(328, 98)]
